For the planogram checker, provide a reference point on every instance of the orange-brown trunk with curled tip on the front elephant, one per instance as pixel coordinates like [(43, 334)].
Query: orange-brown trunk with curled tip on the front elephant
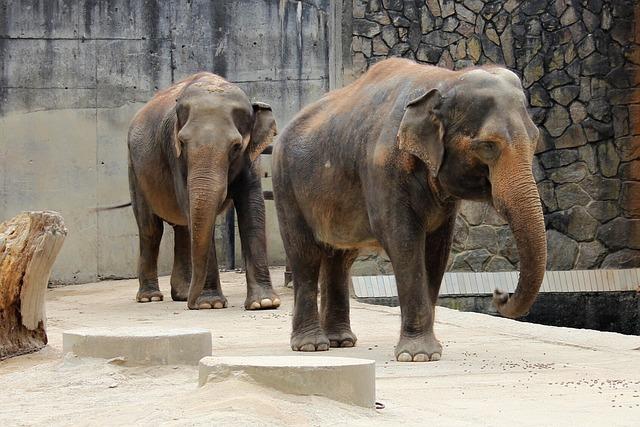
[(516, 197)]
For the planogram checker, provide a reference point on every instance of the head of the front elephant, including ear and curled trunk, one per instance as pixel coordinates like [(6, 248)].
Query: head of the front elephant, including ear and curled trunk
[(478, 141)]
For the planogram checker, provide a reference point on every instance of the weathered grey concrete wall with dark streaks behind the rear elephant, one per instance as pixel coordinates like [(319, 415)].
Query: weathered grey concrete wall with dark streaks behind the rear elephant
[(74, 72)]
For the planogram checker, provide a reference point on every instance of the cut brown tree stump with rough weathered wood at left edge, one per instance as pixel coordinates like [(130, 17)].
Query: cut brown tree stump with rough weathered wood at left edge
[(29, 244)]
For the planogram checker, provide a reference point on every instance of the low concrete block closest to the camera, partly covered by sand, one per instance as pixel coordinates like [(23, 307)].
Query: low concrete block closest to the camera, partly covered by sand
[(344, 379)]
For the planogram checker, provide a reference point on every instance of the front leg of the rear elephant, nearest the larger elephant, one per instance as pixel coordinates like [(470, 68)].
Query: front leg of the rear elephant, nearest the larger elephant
[(249, 205)]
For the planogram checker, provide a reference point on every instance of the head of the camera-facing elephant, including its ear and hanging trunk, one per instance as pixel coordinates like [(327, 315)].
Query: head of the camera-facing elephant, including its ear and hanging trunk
[(217, 132)]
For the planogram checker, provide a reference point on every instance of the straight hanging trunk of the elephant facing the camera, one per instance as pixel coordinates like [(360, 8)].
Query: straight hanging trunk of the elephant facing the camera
[(207, 189)]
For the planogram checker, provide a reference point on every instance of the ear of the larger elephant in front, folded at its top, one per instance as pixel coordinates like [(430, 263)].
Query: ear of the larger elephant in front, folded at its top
[(421, 131)]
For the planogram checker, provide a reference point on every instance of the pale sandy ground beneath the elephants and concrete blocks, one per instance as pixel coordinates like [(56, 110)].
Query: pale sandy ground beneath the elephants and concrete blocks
[(493, 371)]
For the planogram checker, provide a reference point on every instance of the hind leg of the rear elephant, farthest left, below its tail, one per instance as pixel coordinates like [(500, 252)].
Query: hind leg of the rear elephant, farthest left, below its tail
[(150, 228)]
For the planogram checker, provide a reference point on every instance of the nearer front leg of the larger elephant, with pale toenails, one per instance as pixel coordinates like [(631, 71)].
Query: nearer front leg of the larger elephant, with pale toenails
[(417, 341)]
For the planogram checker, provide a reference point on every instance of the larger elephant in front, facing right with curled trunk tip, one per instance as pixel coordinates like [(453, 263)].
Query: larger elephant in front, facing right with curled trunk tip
[(383, 163)]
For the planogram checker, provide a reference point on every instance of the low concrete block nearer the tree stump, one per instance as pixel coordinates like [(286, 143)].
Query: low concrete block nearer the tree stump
[(140, 345)]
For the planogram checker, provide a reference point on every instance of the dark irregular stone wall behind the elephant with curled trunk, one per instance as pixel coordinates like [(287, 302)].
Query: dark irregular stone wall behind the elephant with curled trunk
[(580, 65)]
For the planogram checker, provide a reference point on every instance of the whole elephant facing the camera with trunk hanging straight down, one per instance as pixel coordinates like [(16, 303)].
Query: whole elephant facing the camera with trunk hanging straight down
[(193, 152)]
